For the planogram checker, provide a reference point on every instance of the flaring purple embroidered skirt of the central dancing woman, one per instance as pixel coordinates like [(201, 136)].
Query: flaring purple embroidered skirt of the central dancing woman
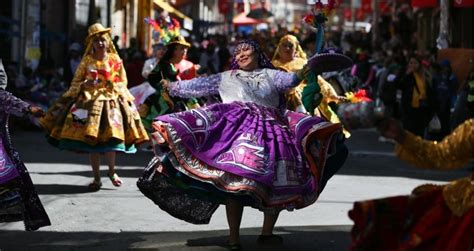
[(267, 159)]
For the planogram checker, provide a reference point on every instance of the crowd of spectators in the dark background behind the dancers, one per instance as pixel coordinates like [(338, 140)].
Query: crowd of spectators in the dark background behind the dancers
[(389, 74)]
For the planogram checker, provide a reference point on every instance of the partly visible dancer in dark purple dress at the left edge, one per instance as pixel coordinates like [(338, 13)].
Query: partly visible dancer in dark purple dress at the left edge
[(19, 200)]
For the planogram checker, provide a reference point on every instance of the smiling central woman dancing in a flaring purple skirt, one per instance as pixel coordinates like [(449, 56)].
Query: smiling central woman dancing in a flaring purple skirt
[(246, 151)]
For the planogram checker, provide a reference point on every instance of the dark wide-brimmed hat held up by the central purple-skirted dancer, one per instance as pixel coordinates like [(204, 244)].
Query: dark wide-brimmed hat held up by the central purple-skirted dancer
[(327, 62)]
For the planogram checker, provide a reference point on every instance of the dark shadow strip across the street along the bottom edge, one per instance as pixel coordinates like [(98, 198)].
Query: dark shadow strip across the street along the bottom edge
[(303, 238)]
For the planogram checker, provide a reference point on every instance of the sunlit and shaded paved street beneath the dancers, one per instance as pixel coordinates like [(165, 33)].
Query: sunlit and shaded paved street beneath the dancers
[(123, 219)]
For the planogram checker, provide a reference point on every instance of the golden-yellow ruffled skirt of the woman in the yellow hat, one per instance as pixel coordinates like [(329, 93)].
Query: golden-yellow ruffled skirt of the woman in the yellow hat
[(94, 125)]
